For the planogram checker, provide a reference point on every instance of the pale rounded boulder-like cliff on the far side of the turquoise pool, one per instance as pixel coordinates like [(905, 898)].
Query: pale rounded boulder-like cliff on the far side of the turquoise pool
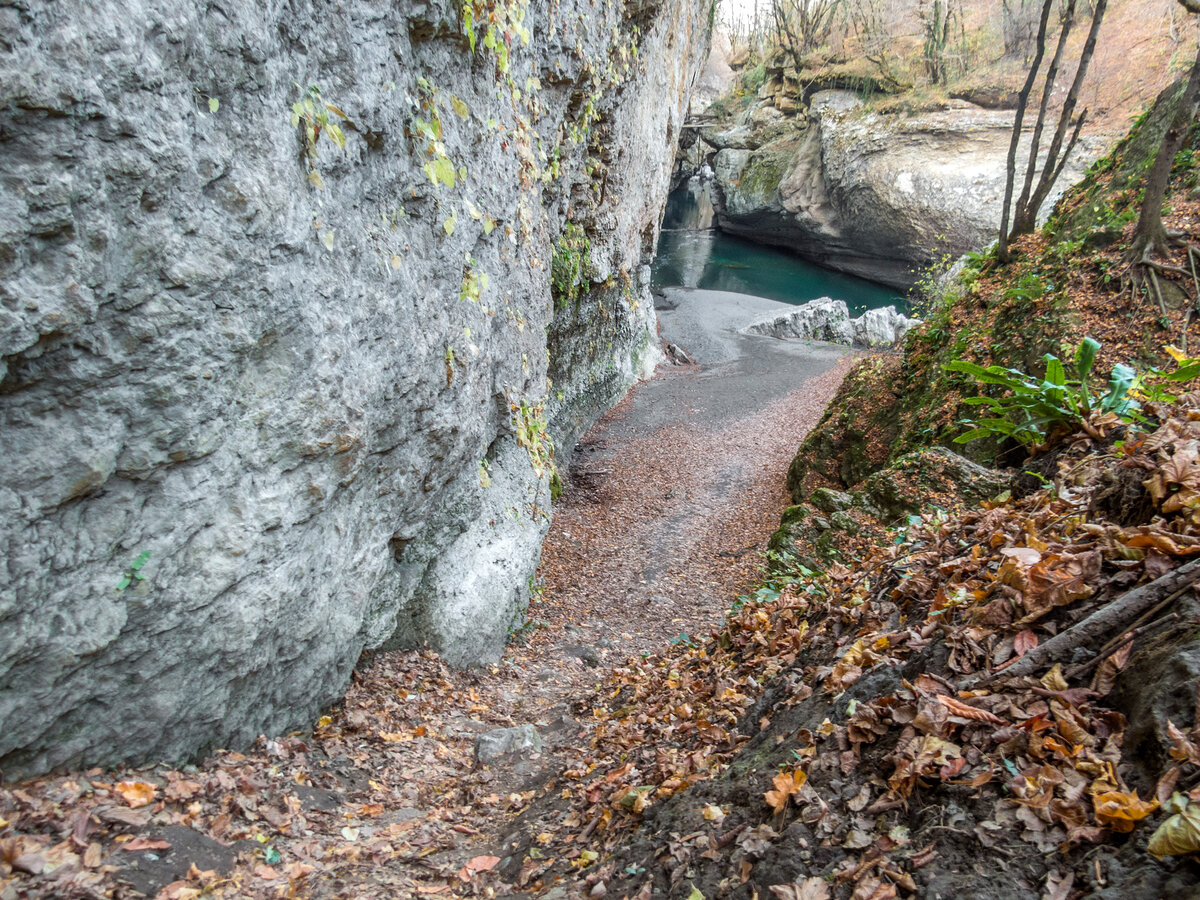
[(872, 195)]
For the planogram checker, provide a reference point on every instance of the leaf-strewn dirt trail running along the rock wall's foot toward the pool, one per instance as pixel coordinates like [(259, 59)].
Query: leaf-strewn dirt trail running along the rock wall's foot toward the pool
[(410, 787)]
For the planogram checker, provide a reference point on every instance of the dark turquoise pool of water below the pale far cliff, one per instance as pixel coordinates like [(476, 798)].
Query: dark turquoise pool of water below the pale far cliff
[(693, 254)]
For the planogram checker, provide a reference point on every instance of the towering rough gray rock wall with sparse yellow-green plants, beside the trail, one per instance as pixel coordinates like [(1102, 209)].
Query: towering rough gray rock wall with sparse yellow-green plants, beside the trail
[(286, 370)]
